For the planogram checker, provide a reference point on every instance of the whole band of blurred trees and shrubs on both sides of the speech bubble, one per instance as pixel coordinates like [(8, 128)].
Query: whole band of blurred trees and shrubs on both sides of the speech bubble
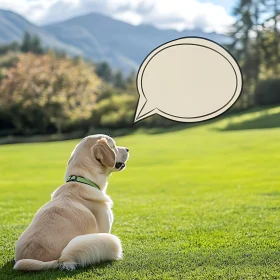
[(45, 91)]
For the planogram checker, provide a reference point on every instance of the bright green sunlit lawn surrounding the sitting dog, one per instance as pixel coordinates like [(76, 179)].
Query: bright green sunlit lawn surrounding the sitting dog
[(198, 203)]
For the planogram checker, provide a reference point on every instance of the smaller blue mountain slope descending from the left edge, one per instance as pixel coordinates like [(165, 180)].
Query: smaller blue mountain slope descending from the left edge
[(13, 26)]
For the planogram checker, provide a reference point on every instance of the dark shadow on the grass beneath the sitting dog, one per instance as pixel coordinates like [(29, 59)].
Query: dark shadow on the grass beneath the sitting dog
[(10, 273)]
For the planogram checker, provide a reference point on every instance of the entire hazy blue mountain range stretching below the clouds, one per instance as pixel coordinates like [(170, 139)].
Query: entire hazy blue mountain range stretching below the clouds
[(98, 37)]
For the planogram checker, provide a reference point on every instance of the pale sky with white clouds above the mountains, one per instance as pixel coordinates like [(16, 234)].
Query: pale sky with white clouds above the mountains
[(208, 15)]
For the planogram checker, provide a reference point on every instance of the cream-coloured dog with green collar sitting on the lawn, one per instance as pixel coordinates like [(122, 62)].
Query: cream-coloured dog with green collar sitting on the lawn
[(73, 229)]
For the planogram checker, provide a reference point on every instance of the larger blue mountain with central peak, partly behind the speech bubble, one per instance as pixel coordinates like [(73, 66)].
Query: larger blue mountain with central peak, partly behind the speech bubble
[(123, 45)]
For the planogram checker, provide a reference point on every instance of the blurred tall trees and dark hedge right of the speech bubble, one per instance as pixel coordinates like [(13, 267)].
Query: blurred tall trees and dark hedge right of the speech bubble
[(256, 46)]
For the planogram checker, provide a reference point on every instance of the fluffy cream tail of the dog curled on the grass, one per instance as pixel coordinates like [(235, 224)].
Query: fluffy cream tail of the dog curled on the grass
[(80, 251)]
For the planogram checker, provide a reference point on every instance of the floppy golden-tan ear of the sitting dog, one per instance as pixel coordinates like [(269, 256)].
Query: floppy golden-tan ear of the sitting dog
[(103, 153)]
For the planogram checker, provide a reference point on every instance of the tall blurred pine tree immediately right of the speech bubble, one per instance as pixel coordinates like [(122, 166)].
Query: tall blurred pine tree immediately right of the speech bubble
[(247, 44)]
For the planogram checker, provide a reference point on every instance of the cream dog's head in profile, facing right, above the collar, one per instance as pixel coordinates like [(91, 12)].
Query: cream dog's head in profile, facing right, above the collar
[(98, 153)]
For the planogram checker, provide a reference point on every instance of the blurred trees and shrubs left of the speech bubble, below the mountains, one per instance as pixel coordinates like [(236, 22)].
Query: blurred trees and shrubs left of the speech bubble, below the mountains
[(46, 92)]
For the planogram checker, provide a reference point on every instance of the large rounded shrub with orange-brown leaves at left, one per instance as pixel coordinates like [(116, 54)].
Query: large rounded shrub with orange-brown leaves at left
[(65, 91)]
